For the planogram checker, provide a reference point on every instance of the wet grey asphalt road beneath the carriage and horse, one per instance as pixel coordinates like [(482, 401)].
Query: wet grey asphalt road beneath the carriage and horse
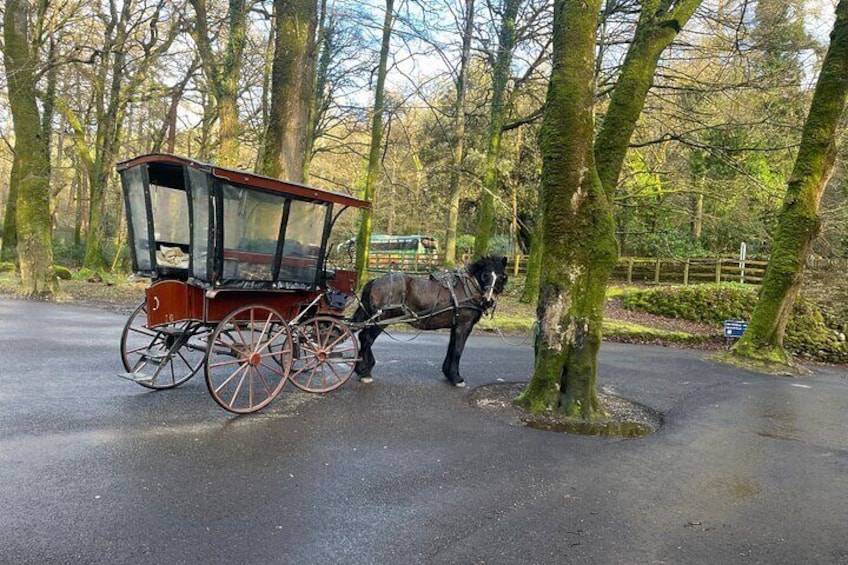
[(94, 469)]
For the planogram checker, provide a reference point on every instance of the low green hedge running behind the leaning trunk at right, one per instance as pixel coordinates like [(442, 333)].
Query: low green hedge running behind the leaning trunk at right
[(806, 333)]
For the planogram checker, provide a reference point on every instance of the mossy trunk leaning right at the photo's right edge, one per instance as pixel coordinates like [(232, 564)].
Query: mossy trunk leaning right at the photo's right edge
[(799, 222)]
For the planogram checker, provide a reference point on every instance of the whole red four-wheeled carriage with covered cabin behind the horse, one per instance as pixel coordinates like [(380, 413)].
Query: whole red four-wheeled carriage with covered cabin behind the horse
[(239, 284)]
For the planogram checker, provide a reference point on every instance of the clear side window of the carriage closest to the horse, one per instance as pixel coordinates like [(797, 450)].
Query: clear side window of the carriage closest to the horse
[(302, 246)]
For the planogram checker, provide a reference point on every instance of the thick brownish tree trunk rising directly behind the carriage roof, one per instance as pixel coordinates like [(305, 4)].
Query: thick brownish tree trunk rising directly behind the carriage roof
[(292, 90)]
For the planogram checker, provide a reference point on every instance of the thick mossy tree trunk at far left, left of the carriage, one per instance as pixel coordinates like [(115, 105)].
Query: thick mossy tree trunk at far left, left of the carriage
[(32, 161)]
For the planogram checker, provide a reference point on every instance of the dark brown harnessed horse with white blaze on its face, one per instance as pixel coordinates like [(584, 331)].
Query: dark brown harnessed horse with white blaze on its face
[(454, 300)]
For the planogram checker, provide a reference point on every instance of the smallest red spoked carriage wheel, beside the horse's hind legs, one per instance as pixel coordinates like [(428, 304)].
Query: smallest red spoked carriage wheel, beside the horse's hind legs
[(327, 353)]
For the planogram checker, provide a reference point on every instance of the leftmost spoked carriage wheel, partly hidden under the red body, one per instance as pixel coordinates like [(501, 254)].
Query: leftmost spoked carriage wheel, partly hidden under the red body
[(164, 357)]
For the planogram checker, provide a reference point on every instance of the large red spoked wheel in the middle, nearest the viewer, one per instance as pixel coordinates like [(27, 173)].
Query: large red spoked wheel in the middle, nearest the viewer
[(250, 355)]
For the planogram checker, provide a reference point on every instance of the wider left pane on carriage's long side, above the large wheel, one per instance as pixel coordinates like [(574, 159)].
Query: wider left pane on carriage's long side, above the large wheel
[(251, 230)]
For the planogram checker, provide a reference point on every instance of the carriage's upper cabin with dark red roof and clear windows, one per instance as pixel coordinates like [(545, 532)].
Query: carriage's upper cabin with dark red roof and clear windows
[(224, 228)]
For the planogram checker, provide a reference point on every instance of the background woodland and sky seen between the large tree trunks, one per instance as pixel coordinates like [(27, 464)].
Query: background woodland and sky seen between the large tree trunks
[(706, 170)]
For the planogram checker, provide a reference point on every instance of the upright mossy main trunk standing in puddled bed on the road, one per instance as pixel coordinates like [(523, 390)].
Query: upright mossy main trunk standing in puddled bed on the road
[(579, 248)]
